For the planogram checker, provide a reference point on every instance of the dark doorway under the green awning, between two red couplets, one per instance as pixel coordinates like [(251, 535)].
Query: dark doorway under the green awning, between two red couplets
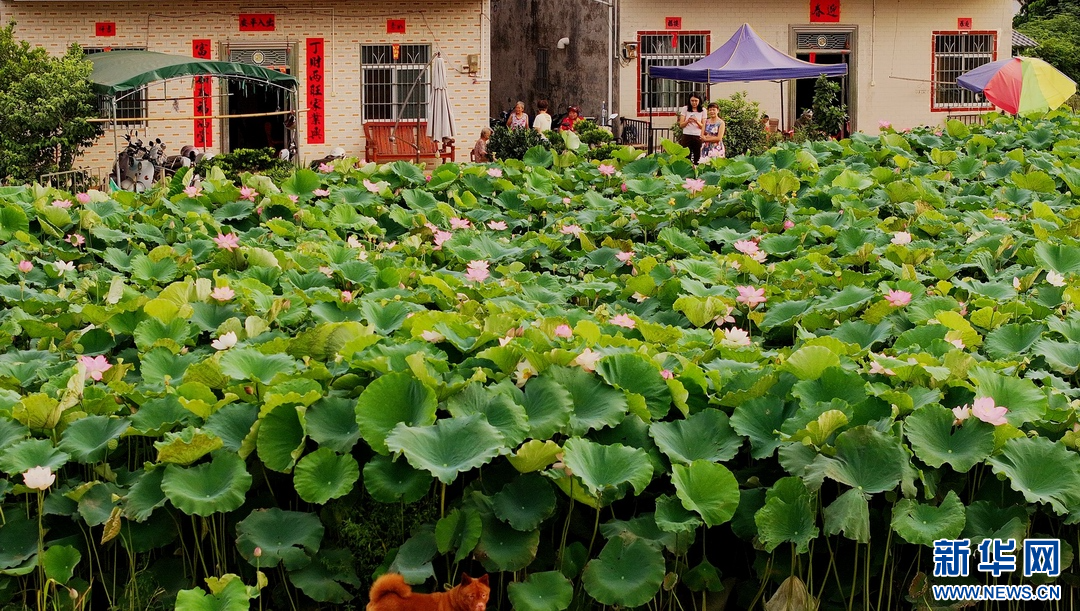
[(253, 98)]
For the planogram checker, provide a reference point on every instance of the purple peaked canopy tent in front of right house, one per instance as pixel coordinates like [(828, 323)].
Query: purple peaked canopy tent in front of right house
[(747, 58)]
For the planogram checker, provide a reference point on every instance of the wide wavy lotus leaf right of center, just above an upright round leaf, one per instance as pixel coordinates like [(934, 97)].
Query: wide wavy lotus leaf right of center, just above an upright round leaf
[(706, 436)]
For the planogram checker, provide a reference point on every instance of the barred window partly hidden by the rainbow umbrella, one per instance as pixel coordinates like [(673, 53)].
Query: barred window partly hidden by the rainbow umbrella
[(956, 53)]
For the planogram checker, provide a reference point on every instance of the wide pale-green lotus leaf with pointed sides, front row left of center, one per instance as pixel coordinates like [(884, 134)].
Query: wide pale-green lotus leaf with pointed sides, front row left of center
[(450, 447)]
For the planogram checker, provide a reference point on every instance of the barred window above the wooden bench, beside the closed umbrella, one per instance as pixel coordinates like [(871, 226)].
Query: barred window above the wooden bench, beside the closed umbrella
[(395, 82)]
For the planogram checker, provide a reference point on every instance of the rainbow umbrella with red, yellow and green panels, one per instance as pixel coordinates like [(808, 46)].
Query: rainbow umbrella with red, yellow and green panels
[(1020, 85)]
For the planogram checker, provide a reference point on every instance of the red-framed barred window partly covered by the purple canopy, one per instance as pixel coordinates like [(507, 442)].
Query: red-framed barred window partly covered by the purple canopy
[(667, 49)]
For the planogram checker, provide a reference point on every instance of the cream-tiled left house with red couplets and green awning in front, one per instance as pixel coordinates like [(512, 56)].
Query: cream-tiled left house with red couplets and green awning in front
[(371, 53)]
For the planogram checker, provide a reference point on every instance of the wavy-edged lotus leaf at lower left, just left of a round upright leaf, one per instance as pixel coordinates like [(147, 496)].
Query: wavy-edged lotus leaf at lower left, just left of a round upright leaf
[(219, 486)]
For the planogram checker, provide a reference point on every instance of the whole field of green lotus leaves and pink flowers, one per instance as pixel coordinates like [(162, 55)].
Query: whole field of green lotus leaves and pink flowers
[(624, 384)]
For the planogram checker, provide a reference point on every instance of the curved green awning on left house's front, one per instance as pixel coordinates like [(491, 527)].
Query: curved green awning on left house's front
[(118, 72)]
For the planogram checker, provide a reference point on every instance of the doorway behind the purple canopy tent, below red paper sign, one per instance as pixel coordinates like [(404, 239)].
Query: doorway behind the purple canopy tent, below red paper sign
[(821, 46)]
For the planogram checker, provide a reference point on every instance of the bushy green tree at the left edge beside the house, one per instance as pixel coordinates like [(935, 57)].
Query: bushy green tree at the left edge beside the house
[(45, 103)]
